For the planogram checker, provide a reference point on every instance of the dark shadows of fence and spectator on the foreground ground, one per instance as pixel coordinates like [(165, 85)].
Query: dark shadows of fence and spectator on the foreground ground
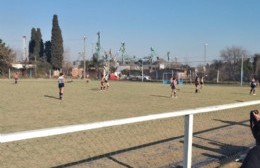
[(220, 150)]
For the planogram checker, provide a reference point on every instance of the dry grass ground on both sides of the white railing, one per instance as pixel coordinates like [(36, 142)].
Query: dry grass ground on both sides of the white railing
[(34, 104)]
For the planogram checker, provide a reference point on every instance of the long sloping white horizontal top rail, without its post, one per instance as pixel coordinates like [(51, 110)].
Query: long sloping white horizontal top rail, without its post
[(16, 136)]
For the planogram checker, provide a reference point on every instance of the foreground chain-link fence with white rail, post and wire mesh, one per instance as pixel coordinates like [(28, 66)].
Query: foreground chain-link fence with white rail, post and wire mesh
[(218, 133)]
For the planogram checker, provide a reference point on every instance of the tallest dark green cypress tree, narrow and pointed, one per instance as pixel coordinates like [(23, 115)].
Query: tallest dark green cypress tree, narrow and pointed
[(56, 44)]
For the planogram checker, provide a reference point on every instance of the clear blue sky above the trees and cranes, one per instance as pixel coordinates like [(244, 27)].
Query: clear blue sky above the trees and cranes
[(179, 26)]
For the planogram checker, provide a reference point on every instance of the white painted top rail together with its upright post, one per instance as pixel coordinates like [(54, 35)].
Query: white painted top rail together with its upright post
[(17, 136)]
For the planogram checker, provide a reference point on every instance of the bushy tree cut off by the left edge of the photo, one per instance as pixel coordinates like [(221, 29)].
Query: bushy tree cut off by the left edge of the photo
[(6, 57)]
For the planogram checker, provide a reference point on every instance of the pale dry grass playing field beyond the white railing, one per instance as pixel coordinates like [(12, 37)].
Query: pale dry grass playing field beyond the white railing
[(34, 104)]
